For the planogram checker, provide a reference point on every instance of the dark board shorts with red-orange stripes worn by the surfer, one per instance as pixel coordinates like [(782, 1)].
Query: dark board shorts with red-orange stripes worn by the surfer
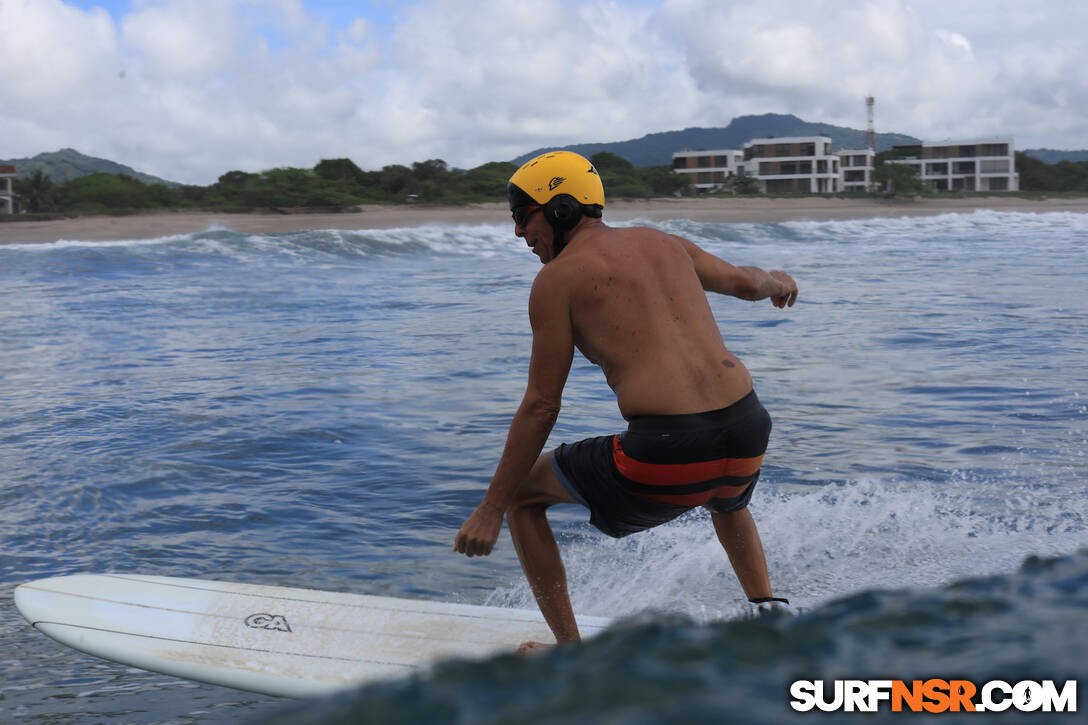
[(664, 466)]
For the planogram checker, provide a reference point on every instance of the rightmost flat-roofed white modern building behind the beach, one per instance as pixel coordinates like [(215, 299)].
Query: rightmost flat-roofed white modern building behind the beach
[(984, 165)]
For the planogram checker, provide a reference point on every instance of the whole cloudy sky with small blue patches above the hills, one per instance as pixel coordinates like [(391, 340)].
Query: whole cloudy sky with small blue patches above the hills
[(189, 90)]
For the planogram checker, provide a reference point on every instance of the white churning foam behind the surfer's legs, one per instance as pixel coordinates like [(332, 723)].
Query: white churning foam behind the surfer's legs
[(824, 544)]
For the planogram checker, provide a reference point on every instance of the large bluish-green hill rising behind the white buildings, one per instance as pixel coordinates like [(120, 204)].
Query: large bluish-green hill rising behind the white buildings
[(658, 150)]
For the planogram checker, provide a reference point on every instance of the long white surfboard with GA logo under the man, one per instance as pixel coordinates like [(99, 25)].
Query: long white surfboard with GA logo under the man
[(275, 641)]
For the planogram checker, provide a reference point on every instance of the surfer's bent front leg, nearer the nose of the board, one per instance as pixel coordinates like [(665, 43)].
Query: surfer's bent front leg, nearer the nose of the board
[(538, 550)]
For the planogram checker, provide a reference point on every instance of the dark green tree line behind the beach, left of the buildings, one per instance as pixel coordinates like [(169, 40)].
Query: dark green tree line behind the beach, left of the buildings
[(333, 185)]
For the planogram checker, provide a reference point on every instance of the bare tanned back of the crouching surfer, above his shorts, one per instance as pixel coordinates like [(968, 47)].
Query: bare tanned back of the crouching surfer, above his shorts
[(639, 311)]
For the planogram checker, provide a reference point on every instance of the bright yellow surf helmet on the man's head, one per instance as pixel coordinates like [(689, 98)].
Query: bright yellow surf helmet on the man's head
[(558, 174)]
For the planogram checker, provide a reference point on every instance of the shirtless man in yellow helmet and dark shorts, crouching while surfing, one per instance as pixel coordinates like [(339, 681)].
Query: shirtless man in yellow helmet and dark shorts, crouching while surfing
[(634, 302)]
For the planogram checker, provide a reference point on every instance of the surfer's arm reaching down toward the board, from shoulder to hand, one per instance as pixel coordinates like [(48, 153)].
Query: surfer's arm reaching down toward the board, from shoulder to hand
[(549, 367)]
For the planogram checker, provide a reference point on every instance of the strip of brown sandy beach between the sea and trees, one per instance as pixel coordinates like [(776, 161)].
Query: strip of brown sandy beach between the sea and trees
[(739, 210)]
